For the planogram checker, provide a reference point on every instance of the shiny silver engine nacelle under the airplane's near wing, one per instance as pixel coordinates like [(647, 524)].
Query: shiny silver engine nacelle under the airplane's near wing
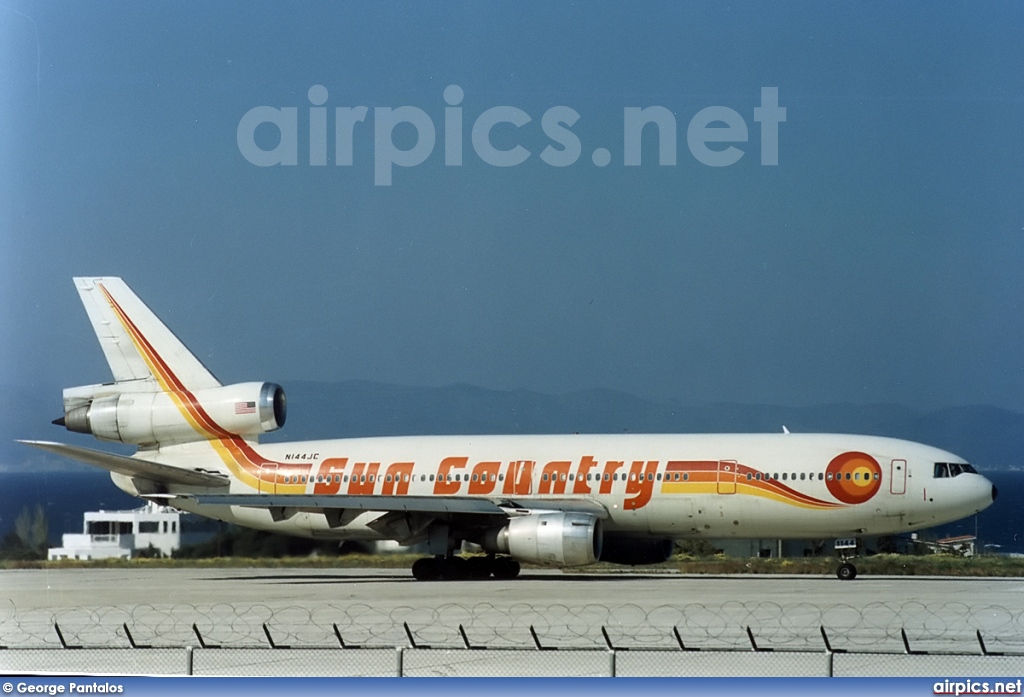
[(551, 539)]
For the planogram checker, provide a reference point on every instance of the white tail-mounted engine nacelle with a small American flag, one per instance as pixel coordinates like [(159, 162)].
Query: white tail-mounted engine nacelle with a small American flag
[(150, 418)]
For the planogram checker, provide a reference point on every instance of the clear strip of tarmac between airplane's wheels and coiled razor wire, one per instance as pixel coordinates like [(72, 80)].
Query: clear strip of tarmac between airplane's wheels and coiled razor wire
[(70, 589)]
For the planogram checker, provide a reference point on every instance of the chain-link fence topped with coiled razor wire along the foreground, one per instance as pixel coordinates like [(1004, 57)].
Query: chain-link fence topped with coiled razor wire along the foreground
[(736, 639)]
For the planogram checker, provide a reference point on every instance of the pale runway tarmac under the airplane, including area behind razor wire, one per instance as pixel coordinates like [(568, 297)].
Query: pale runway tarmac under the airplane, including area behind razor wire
[(373, 607)]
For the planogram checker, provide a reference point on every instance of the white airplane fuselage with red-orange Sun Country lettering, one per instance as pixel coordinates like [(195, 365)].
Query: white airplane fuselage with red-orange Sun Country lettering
[(715, 486)]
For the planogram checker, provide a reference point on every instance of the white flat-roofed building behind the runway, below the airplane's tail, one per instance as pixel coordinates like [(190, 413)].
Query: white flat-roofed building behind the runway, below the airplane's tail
[(109, 535)]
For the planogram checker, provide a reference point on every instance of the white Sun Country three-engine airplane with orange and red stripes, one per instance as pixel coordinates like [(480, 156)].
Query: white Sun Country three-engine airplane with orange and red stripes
[(561, 501)]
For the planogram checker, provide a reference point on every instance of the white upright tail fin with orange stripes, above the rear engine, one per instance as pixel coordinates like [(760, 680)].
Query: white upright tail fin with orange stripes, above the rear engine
[(137, 344)]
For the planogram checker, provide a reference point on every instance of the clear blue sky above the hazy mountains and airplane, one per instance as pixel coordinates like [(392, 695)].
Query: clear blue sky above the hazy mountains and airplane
[(880, 262)]
